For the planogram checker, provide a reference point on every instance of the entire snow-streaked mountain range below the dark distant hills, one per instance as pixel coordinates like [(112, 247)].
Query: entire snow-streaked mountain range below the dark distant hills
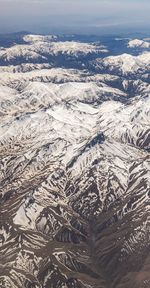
[(74, 166)]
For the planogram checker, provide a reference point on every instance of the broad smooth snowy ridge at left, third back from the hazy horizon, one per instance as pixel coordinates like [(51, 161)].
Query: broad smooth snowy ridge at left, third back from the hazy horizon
[(34, 94)]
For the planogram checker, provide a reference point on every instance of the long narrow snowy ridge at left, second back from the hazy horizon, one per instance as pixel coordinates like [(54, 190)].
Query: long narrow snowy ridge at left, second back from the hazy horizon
[(54, 75)]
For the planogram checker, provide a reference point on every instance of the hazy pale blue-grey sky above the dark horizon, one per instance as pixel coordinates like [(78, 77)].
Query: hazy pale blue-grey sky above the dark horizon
[(74, 16)]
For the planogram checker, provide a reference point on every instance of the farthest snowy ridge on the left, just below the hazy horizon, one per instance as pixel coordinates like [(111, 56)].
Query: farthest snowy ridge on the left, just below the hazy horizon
[(39, 48)]
